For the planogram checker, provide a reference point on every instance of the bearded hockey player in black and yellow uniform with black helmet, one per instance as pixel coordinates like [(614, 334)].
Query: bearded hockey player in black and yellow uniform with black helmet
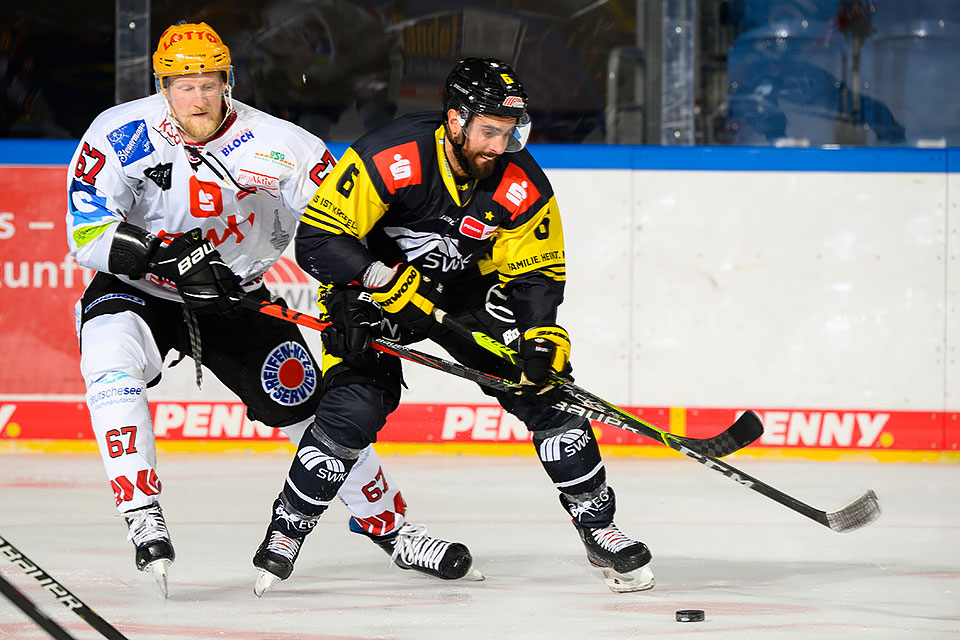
[(448, 210)]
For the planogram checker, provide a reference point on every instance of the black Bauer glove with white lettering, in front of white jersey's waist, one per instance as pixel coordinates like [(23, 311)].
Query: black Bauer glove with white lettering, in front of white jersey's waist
[(204, 281)]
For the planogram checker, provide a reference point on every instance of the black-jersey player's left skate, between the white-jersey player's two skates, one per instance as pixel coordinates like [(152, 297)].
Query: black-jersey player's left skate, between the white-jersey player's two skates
[(278, 552)]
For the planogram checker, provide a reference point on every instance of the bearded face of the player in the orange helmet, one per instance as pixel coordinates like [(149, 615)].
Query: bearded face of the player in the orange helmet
[(196, 103)]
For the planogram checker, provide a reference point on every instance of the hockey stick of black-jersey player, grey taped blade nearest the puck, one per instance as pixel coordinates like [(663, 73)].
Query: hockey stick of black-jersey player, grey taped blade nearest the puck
[(858, 513)]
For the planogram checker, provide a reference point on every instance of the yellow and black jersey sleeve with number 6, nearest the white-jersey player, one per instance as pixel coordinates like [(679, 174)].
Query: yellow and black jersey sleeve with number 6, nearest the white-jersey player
[(342, 212)]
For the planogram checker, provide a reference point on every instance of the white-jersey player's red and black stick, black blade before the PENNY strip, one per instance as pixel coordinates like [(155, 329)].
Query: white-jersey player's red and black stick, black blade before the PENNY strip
[(576, 401)]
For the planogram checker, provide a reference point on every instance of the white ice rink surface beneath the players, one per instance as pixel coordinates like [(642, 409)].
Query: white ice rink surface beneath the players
[(758, 570)]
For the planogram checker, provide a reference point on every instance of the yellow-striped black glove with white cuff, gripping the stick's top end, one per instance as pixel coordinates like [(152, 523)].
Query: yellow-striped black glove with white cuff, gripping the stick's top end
[(405, 294)]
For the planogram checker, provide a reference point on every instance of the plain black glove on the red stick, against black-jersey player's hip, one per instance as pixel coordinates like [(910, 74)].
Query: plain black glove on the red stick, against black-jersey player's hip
[(356, 320)]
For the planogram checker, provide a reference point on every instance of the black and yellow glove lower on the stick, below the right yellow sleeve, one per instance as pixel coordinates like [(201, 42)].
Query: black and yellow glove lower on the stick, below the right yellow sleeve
[(545, 351)]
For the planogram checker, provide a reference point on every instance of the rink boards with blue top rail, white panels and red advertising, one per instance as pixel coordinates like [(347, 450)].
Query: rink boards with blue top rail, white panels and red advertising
[(817, 287)]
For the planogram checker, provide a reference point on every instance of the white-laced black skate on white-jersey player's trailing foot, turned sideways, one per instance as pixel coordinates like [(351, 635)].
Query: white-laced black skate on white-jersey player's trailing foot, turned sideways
[(411, 548)]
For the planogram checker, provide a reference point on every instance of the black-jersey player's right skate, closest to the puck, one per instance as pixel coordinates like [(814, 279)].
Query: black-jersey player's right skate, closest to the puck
[(624, 561)]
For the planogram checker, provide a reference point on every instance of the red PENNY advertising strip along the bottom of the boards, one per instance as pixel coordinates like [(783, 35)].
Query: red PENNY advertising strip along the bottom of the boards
[(37, 419)]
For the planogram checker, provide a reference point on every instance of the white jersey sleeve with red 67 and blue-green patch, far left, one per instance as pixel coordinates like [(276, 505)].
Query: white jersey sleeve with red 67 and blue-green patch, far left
[(98, 196)]
